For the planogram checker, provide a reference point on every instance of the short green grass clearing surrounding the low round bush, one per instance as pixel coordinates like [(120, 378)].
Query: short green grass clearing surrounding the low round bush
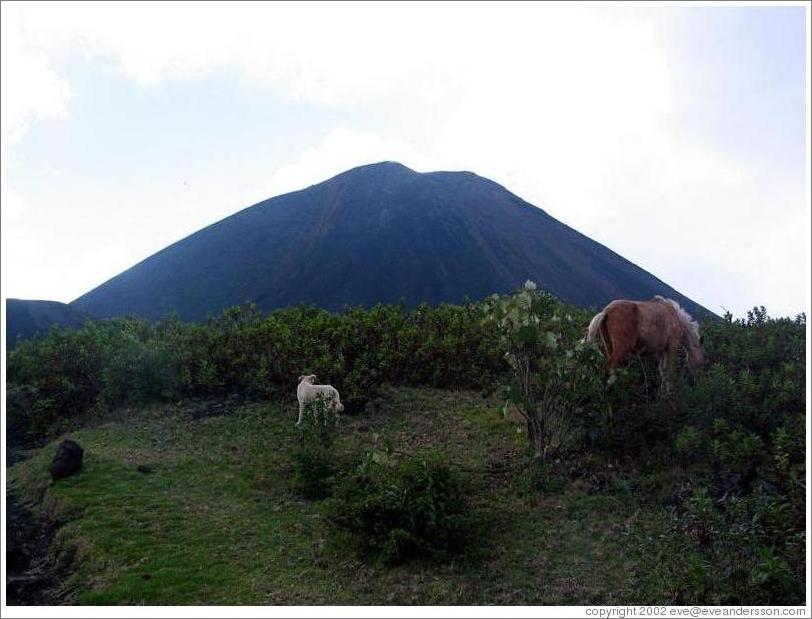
[(169, 509)]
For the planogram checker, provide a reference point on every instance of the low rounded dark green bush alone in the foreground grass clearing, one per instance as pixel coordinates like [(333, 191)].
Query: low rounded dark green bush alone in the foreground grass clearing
[(394, 513)]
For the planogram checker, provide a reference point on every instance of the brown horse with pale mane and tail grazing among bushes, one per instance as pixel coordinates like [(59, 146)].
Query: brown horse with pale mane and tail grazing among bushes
[(659, 327)]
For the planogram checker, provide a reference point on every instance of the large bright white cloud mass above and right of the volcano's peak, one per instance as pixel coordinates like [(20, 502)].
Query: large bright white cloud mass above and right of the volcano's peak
[(571, 108)]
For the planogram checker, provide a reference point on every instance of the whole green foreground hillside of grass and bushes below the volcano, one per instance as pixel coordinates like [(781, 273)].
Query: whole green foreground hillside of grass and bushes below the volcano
[(192, 486)]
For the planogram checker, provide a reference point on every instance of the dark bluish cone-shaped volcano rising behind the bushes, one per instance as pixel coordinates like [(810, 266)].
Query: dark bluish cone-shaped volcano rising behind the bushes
[(376, 233)]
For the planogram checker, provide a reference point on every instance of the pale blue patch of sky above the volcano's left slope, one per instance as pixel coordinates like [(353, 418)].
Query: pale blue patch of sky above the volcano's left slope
[(125, 142)]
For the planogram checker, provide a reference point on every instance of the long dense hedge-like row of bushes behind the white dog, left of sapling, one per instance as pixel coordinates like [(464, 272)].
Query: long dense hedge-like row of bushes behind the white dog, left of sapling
[(132, 361)]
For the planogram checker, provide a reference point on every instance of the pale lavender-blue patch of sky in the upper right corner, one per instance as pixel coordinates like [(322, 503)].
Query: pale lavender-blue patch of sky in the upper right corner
[(744, 72)]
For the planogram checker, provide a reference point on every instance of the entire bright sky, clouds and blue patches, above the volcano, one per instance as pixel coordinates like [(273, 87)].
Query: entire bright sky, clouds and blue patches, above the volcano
[(674, 135)]
